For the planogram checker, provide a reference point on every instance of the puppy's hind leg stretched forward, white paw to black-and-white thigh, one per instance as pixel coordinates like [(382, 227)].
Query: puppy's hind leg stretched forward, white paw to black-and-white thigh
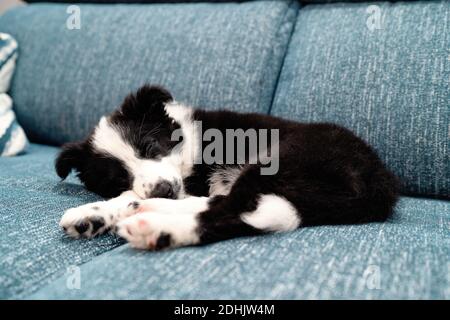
[(245, 211)]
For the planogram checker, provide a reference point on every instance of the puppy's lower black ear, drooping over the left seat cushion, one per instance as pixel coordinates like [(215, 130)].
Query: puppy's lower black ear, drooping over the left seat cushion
[(72, 155)]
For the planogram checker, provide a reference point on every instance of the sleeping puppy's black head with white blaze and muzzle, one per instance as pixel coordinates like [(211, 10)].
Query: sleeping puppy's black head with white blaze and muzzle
[(131, 149)]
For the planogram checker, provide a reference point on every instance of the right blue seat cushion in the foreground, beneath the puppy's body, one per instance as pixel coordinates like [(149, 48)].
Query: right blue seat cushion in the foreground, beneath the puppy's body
[(409, 255)]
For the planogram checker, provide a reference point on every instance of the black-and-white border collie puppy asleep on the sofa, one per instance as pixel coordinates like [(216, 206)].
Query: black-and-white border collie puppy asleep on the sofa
[(162, 198)]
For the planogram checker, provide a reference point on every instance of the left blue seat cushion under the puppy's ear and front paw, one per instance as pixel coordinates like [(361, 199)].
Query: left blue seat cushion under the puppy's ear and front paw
[(33, 249)]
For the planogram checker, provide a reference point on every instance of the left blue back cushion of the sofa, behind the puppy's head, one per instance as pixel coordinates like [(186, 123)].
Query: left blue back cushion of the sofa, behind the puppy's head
[(215, 55)]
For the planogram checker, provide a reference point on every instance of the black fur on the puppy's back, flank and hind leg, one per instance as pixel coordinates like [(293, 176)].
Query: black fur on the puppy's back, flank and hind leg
[(329, 175)]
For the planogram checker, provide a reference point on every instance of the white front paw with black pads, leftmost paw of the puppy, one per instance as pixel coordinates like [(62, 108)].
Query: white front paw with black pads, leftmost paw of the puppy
[(84, 221)]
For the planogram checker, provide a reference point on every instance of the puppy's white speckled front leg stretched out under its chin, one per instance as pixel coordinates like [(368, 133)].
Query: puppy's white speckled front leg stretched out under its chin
[(96, 218)]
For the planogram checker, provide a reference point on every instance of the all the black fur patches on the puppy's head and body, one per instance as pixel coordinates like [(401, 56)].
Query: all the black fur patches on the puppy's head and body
[(327, 173)]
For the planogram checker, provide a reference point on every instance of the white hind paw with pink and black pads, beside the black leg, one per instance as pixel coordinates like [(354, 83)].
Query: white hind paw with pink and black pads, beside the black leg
[(156, 230)]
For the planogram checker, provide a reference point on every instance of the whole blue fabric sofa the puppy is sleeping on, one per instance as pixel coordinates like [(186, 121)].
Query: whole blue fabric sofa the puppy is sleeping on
[(381, 69)]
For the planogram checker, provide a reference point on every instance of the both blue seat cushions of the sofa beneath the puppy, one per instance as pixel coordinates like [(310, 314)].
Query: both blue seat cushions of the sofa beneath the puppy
[(411, 252)]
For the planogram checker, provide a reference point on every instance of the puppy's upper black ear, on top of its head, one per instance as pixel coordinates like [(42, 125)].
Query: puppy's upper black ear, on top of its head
[(147, 100)]
